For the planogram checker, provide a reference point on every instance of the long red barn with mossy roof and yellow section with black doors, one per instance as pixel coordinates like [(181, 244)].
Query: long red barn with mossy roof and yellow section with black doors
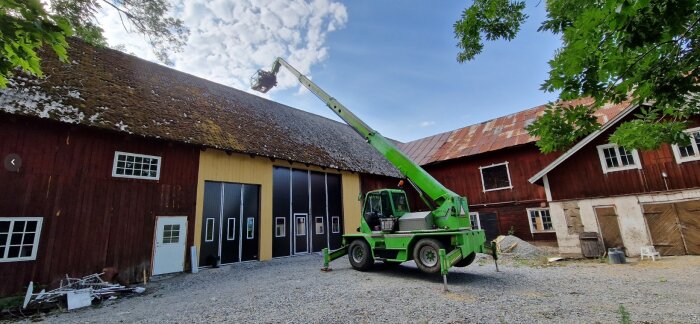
[(111, 159)]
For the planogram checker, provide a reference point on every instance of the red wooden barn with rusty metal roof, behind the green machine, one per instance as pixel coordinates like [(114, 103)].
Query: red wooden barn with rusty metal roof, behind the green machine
[(490, 163)]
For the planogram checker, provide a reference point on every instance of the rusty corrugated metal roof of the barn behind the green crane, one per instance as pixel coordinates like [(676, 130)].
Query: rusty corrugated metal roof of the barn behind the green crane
[(492, 135)]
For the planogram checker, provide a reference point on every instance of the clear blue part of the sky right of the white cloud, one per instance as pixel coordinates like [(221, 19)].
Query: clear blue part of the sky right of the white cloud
[(394, 66)]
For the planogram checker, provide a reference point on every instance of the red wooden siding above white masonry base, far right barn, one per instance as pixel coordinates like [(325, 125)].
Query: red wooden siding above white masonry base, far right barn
[(566, 182)]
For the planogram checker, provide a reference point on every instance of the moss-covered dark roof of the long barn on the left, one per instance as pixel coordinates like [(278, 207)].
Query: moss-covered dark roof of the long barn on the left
[(111, 90)]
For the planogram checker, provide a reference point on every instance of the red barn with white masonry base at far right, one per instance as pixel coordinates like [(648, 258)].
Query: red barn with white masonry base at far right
[(632, 199)]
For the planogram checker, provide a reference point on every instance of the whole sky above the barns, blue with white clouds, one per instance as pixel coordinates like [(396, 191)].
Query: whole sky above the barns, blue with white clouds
[(391, 62)]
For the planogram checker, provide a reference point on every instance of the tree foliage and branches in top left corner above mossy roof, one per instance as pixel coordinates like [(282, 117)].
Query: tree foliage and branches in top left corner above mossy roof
[(26, 26)]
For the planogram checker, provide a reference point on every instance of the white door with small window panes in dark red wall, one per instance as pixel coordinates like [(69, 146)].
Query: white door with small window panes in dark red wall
[(171, 236)]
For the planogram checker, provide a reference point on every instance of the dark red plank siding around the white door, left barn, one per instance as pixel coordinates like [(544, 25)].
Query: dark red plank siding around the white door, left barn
[(91, 220)]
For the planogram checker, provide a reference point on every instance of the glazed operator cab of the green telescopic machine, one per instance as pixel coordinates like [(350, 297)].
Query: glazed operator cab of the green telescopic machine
[(384, 203)]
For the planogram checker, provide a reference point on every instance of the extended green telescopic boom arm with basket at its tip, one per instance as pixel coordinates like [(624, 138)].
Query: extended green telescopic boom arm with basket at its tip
[(442, 197)]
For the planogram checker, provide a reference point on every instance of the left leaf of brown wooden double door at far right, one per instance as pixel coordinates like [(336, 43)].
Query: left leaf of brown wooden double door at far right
[(662, 220)]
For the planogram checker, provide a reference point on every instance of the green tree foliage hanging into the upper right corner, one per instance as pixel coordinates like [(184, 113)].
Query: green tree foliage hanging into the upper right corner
[(644, 51)]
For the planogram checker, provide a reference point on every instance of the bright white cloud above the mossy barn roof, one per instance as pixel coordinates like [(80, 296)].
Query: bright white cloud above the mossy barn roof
[(230, 40)]
